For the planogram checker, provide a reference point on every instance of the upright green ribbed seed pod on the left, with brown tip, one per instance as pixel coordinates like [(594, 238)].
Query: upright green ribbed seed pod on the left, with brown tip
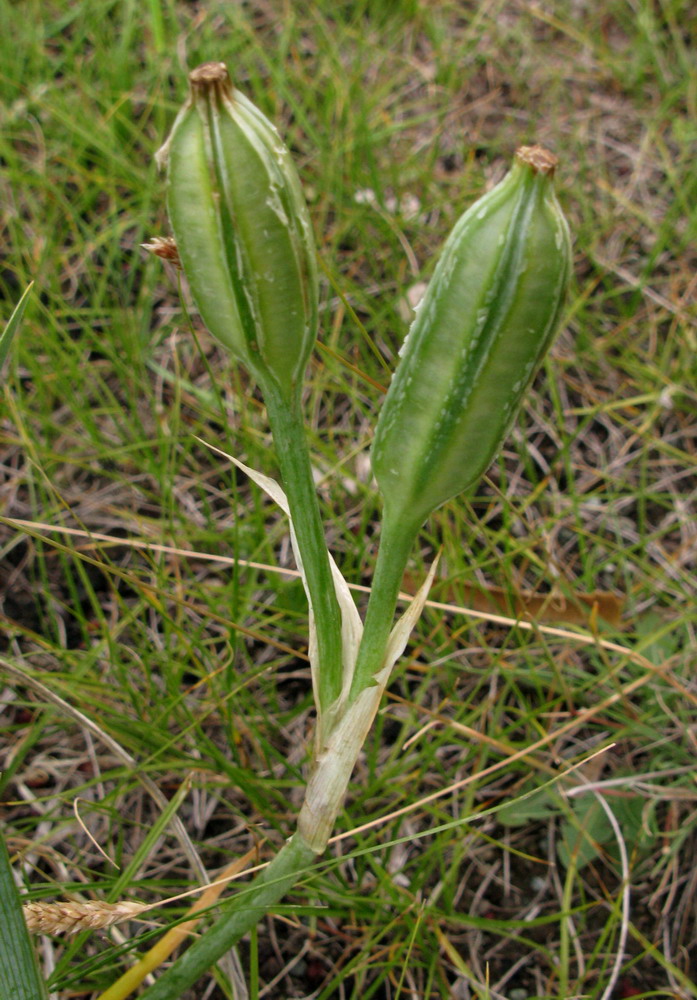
[(242, 229)]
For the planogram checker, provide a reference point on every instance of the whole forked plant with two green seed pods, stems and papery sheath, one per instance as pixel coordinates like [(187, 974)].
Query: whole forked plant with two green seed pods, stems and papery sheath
[(489, 315)]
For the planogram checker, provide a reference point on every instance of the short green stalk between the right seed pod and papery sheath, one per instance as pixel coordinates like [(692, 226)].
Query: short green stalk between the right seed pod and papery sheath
[(396, 541)]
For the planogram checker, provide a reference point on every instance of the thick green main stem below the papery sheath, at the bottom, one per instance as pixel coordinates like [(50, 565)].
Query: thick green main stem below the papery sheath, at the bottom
[(247, 908)]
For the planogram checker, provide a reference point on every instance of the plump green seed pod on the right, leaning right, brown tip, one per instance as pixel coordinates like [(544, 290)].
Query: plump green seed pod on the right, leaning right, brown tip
[(488, 316)]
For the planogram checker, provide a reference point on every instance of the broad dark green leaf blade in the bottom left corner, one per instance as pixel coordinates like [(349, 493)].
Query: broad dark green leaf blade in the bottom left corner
[(20, 978)]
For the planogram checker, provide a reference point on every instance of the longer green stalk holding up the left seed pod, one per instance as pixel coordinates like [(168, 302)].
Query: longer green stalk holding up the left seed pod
[(288, 429)]
